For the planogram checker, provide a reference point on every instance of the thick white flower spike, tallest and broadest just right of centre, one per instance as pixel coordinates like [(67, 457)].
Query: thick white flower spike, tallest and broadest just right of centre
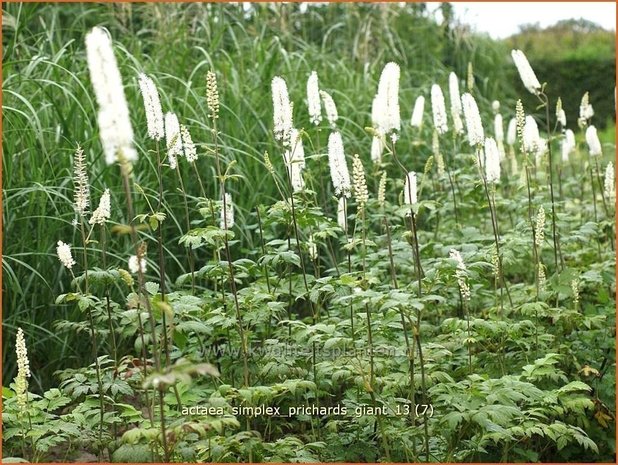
[(385, 110)]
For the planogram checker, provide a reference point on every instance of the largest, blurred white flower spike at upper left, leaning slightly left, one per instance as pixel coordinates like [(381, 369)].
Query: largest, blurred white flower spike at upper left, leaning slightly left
[(115, 128)]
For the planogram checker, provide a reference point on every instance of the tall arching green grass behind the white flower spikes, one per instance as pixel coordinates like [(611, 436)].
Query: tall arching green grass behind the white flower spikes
[(48, 108)]
